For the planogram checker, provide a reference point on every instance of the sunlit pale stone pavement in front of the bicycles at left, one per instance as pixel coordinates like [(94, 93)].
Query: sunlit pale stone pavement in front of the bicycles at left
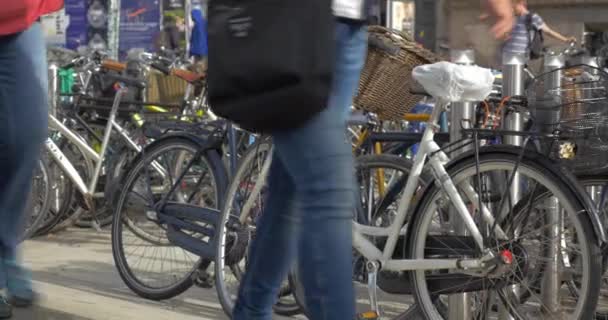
[(75, 274)]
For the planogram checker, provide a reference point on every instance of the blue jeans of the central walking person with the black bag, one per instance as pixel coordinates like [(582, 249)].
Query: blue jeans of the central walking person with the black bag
[(311, 202)]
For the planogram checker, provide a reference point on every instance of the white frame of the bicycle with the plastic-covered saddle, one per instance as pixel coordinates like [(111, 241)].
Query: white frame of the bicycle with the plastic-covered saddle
[(436, 161)]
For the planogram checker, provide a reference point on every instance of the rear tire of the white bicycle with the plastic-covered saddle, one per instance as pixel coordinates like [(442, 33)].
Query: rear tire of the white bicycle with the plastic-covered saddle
[(531, 166)]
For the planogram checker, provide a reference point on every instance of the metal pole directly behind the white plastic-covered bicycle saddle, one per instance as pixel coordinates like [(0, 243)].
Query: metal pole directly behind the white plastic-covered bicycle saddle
[(461, 116)]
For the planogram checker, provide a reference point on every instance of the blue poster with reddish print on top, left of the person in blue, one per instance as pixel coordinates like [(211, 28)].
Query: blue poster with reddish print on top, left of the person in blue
[(139, 25)]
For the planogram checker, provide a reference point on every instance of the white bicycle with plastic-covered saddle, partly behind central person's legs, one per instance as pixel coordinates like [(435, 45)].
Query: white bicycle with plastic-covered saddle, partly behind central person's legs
[(487, 259)]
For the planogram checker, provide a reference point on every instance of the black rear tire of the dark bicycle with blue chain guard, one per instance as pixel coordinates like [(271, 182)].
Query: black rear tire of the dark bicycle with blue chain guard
[(218, 173)]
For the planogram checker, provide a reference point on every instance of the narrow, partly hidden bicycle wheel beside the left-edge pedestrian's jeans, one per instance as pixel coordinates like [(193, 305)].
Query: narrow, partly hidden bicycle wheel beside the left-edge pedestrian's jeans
[(39, 202)]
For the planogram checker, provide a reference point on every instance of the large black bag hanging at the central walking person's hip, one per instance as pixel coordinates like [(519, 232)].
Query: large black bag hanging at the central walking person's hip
[(270, 62)]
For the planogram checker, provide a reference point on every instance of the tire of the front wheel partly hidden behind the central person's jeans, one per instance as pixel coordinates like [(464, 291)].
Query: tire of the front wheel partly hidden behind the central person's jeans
[(286, 308)]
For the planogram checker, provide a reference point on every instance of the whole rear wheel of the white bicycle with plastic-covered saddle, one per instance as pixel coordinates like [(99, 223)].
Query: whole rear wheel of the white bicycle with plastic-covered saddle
[(545, 235)]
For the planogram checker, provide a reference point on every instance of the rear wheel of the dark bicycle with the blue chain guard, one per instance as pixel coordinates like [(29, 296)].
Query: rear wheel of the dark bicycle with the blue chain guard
[(146, 260)]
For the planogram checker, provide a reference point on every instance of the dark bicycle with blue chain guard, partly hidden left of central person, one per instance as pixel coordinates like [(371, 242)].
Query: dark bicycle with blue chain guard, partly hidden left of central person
[(170, 189)]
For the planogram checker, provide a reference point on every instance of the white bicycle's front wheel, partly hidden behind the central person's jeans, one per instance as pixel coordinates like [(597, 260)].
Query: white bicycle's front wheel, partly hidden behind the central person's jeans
[(235, 234)]
